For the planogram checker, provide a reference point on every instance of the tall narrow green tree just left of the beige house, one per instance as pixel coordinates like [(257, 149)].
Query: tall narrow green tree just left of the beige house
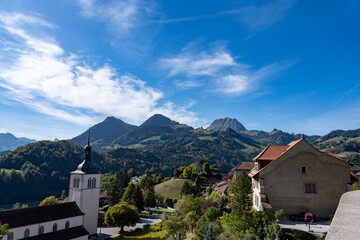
[(240, 188)]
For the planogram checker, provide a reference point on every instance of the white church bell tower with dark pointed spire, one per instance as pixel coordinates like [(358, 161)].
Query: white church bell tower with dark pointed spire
[(84, 189)]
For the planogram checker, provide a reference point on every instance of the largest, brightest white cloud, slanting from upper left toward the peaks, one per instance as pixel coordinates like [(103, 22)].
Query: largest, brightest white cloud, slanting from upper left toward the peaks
[(46, 79)]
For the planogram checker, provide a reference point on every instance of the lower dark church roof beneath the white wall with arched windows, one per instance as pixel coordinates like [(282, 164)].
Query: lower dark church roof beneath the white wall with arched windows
[(65, 234)]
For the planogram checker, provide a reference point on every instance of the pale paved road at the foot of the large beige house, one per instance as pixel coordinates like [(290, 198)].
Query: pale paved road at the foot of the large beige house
[(316, 228)]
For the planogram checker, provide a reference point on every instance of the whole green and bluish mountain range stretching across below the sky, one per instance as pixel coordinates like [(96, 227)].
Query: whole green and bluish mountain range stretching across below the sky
[(159, 144)]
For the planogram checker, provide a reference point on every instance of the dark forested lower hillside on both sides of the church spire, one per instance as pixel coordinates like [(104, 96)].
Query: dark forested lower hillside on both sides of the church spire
[(37, 170)]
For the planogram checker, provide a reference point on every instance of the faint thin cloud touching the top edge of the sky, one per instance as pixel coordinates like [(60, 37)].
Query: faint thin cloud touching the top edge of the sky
[(128, 22)]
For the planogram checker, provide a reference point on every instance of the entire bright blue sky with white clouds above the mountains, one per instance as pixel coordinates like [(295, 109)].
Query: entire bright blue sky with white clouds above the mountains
[(290, 65)]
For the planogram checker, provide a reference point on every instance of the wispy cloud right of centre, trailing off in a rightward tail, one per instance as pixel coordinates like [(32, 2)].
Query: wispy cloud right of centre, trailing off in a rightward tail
[(222, 72)]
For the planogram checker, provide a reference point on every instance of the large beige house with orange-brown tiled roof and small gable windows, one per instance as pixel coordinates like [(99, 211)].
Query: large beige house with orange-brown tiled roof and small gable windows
[(299, 178)]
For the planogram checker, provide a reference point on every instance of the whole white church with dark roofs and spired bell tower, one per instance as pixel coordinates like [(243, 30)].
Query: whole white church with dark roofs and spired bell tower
[(76, 218)]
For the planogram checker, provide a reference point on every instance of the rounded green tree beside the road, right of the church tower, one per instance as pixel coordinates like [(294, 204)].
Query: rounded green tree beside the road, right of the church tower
[(121, 215)]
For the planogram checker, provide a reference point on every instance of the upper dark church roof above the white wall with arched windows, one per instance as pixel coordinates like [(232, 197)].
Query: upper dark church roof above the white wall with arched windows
[(33, 215)]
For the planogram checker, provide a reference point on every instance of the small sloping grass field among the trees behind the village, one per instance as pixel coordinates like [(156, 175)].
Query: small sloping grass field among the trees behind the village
[(171, 188)]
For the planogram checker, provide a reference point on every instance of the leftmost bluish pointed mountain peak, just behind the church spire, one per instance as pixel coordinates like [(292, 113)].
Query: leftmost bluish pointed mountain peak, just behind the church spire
[(104, 132)]
